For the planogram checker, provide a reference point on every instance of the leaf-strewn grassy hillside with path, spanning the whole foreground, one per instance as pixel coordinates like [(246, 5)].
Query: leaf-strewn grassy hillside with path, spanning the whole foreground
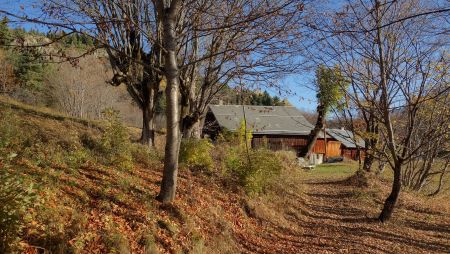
[(86, 202)]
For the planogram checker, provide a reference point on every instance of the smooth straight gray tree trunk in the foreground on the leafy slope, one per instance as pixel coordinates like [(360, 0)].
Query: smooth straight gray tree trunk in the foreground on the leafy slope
[(169, 180)]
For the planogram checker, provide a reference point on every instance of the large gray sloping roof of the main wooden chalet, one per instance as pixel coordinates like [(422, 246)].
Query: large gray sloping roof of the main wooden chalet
[(263, 119)]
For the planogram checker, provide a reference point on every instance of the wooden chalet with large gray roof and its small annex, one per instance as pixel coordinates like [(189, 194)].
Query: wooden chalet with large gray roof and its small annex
[(277, 127)]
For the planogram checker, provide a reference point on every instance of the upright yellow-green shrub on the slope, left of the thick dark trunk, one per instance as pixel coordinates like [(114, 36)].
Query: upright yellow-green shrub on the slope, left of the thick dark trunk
[(115, 143)]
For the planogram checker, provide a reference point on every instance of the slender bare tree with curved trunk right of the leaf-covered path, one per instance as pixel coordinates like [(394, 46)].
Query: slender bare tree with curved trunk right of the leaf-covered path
[(393, 71)]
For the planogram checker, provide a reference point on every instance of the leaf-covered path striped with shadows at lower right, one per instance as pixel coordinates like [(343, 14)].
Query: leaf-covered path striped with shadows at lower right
[(333, 218)]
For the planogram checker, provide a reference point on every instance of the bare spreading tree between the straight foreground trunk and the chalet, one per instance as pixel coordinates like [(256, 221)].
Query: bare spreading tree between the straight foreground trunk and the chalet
[(218, 49)]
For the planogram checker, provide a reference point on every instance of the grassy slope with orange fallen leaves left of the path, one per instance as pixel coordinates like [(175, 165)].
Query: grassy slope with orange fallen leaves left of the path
[(95, 208)]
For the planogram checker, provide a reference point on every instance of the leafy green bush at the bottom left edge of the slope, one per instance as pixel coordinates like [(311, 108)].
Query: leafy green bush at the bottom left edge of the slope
[(16, 197)]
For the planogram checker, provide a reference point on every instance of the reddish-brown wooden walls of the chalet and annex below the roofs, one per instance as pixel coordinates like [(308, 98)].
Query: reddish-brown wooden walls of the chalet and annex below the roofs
[(294, 142)]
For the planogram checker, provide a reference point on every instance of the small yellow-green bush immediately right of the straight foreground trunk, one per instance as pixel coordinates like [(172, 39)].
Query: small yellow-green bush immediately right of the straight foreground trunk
[(196, 154)]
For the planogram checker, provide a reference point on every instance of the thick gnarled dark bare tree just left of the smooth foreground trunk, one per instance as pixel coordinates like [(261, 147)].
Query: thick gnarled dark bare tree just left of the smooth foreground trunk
[(122, 29)]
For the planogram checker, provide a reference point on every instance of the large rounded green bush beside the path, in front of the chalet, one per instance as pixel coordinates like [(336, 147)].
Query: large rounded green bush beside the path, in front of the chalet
[(254, 170)]
